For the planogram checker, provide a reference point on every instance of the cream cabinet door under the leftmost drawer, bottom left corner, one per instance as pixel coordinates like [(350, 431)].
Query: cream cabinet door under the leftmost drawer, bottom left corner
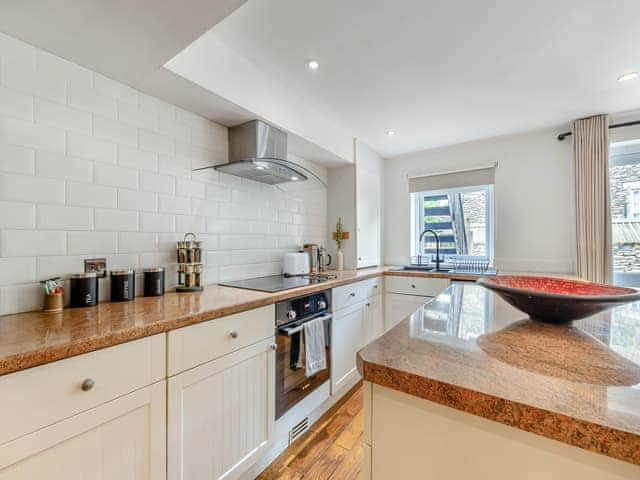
[(123, 439)]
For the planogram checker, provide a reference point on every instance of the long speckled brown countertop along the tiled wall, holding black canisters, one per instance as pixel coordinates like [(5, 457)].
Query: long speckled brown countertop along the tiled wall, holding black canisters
[(34, 338)]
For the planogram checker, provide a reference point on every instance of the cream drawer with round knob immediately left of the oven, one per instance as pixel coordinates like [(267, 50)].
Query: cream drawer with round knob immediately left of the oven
[(200, 343)]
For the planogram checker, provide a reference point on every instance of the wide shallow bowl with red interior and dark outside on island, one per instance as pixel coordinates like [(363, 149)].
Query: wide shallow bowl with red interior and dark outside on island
[(558, 300)]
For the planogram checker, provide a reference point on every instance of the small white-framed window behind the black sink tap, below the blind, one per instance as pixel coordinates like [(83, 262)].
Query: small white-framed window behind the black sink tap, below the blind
[(463, 219)]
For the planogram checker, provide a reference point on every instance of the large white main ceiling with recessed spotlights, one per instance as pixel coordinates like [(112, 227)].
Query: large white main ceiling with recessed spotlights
[(443, 72)]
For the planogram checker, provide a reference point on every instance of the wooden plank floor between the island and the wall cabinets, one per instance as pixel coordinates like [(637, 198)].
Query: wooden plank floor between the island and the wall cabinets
[(330, 450)]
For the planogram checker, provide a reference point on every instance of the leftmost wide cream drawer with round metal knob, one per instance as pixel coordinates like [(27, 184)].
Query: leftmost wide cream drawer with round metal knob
[(40, 396)]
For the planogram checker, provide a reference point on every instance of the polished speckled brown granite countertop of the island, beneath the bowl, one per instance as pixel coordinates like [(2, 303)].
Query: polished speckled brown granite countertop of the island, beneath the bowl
[(468, 349)]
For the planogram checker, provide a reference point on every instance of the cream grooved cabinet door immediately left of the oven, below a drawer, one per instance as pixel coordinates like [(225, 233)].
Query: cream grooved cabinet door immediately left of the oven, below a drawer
[(221, 414)]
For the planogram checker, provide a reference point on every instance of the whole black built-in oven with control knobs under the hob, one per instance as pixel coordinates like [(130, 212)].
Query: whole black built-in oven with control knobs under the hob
[(292, 382)]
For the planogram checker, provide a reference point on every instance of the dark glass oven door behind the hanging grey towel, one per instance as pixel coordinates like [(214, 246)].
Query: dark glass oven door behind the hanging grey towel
[(292, 383)]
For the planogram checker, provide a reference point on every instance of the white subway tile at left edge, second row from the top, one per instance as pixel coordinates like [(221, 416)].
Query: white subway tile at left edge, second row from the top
[(30, 80)]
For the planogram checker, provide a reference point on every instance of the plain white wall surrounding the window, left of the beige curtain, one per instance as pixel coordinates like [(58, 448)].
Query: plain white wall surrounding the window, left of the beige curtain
[(534, 198)]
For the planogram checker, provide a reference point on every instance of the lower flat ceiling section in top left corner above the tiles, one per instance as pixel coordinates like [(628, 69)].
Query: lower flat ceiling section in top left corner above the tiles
[(123, 39)]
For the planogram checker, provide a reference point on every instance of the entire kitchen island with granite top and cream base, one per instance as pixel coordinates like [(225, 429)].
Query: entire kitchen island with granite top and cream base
[(468, 387)]
